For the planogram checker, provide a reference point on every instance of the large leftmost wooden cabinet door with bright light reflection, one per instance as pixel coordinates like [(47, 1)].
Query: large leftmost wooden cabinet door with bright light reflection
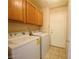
[(15, 10)]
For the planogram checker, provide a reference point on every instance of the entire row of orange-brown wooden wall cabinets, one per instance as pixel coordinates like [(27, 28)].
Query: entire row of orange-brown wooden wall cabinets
[(24, 11)]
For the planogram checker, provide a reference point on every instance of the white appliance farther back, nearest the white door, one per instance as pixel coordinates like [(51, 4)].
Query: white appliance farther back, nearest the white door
[(44, 44)]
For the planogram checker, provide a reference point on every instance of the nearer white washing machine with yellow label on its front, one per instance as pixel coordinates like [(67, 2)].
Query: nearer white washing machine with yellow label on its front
[(22, 46)]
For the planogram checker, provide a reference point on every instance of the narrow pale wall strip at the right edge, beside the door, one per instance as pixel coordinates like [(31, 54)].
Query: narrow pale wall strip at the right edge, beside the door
[(69, 30)]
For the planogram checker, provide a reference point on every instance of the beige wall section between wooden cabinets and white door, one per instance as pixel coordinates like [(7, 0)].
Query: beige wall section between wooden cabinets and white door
[(45, 27)]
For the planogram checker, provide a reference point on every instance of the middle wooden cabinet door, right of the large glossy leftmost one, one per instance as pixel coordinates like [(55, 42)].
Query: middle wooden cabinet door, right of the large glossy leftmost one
[(30, 13)]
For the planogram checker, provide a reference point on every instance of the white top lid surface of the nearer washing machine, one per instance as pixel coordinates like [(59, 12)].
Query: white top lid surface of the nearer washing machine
[(17, 42)]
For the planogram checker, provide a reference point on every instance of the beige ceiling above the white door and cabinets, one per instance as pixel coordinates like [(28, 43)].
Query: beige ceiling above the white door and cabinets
[(50, 3)]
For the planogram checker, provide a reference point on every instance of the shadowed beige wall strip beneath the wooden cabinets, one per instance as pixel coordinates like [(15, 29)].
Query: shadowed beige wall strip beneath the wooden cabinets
[(17, 26)]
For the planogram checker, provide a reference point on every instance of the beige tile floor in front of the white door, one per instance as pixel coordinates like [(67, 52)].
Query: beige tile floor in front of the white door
[(56, 53)]
